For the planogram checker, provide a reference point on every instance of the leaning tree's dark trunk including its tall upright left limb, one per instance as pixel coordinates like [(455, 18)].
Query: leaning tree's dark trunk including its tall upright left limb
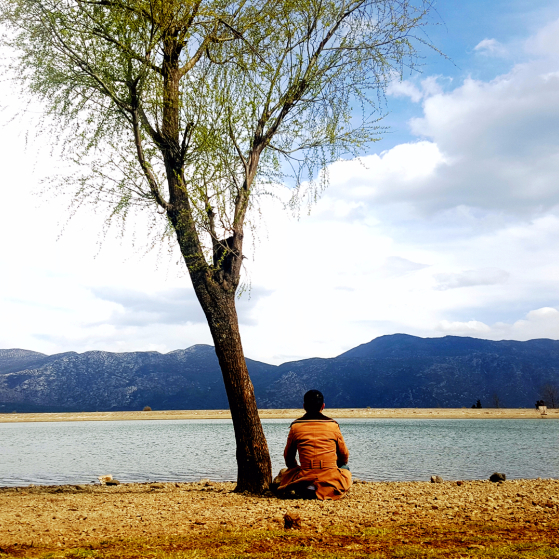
[(215, 287)]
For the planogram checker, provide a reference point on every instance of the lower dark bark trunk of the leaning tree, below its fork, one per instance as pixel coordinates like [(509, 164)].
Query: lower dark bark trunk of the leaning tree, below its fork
[(254, 467)]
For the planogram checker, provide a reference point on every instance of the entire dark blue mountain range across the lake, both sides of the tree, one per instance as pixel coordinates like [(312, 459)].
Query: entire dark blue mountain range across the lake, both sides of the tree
[(389, 371)]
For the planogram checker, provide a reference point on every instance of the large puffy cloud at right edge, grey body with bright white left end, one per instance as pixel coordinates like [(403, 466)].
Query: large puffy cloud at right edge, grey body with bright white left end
[(488, 145)]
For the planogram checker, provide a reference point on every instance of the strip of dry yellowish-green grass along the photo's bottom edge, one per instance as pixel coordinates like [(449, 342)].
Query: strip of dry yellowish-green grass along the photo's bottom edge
[(395, 542)]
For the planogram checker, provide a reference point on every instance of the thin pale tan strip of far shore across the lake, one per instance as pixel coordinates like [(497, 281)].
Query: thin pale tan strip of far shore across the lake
[(335, 413)]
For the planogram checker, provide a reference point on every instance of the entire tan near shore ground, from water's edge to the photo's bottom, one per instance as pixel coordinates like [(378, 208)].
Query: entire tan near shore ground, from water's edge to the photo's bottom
[(516, 518)]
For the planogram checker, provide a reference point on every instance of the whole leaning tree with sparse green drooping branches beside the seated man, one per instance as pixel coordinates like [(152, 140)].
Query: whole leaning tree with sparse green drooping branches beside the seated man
[(193, 109)]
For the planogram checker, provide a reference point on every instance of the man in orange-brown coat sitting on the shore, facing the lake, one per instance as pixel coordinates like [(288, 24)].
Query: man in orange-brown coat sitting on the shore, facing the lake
[(322, 452)]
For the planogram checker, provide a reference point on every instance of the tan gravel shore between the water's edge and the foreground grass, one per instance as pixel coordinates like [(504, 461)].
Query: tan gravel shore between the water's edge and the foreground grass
[(65, 516)]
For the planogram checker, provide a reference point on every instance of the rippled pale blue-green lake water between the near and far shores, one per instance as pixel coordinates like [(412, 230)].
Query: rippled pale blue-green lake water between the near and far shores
[(381, 449)]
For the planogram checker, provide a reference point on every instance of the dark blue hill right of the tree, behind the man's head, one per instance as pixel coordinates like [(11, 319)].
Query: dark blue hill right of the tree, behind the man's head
[(407, 371)]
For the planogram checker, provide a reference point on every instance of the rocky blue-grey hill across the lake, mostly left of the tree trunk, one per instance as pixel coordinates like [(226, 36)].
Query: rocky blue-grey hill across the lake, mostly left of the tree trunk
[(99, 380)]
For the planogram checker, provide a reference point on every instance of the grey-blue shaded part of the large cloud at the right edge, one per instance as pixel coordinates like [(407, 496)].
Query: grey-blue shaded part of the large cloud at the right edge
[(501, 140)]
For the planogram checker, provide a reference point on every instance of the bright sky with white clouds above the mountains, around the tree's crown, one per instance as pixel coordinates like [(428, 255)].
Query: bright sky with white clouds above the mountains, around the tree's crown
[(449, 225)]
